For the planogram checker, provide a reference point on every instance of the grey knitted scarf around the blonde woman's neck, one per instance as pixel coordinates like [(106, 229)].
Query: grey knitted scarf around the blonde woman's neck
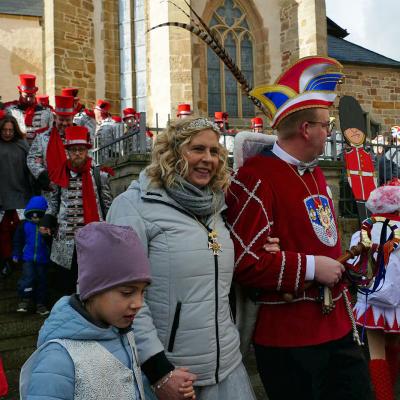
[(201, 202)]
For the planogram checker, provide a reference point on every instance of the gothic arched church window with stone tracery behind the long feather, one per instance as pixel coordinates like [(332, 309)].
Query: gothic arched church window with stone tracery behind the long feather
[(229, 24)]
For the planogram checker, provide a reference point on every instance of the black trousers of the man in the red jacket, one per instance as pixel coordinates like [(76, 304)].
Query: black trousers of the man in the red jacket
[(336, 370)]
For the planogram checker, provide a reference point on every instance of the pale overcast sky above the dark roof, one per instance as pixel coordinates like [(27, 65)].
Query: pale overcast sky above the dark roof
[(374, 24)]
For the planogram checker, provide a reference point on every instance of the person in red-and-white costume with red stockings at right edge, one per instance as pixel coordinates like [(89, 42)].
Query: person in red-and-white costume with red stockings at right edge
[(379, 311)]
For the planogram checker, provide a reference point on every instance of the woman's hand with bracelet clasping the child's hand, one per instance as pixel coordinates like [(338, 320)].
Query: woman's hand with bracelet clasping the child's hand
[(178, 386)]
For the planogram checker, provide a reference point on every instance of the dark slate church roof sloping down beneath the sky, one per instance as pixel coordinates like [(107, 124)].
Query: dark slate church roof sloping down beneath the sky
[(351, 53)]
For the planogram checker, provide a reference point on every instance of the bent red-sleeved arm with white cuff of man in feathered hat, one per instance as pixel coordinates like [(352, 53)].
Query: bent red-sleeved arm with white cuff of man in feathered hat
[(250, 216)]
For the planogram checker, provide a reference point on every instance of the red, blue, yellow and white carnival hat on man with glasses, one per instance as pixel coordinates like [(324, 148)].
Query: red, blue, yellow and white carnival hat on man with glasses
[(309, 83)]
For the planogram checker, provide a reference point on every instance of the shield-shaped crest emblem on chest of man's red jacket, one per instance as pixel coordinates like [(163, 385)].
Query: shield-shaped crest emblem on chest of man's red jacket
[(321, 218)]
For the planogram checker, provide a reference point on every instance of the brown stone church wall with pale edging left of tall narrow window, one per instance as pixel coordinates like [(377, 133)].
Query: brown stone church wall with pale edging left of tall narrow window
[(82, 48)]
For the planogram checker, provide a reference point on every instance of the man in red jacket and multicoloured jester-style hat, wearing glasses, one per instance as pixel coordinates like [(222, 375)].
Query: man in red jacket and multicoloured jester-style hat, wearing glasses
[(301, 352)]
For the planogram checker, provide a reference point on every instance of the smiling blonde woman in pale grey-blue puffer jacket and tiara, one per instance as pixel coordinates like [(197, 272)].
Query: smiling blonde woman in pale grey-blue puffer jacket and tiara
[(176, 208)]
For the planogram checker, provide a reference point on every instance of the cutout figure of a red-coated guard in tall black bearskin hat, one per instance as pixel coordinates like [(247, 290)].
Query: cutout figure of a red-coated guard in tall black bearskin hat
[(359, 165)]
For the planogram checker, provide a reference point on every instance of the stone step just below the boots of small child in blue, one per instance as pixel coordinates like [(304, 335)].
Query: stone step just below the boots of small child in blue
[(13, 325)]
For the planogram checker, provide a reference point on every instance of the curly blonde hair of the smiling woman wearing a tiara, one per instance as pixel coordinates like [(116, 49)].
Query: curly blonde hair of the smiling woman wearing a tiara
[(168, 160)]
